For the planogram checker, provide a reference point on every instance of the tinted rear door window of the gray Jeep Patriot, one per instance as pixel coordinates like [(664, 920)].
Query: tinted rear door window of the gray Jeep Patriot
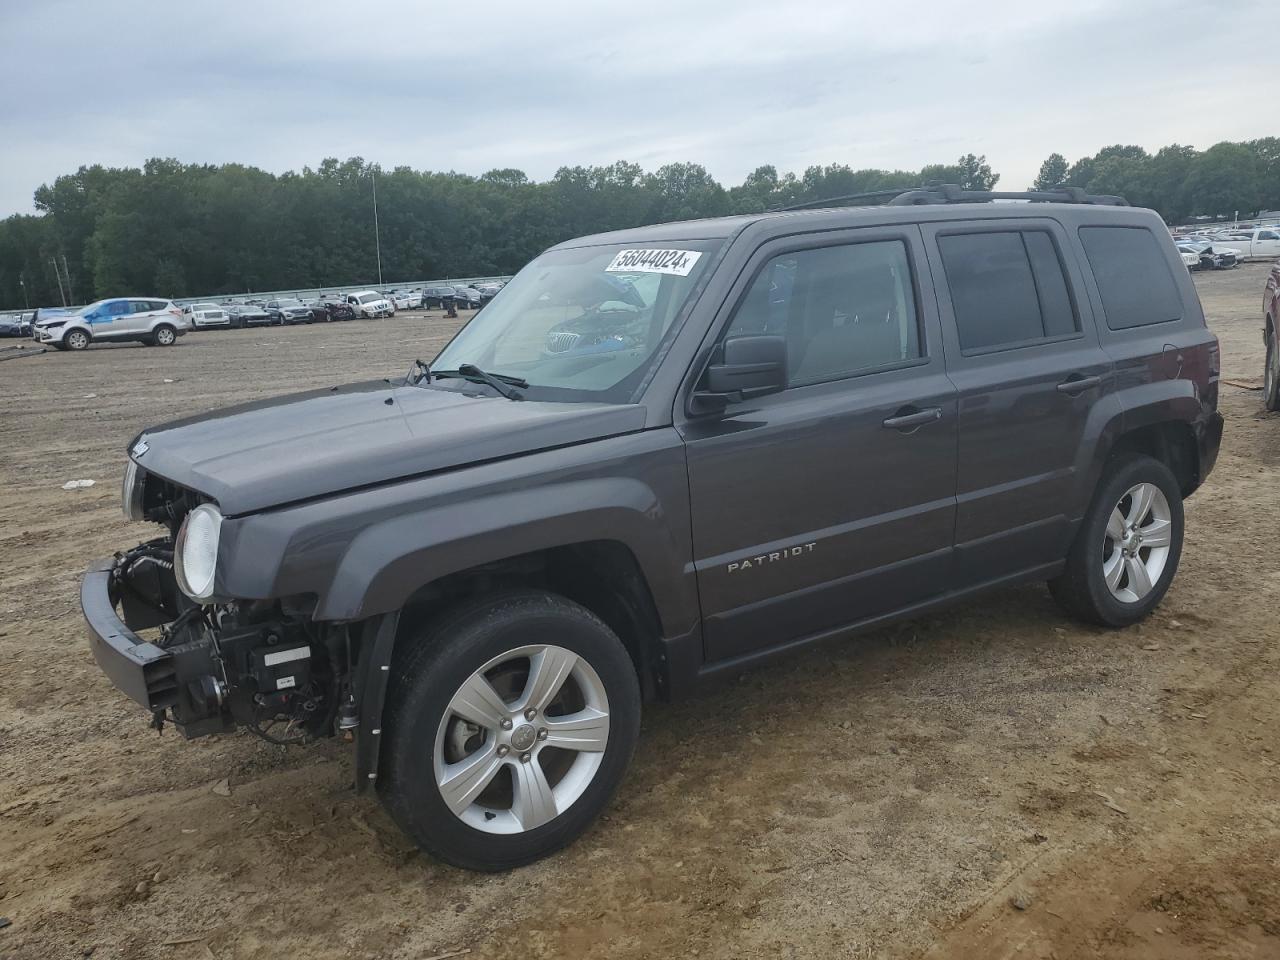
[(1008, 289)]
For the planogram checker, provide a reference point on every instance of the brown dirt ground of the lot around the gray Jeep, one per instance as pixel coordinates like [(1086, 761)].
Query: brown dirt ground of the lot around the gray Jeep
[(990, 783)]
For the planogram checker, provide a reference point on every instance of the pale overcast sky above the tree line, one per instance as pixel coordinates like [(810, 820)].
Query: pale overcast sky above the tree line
[(732, 85)]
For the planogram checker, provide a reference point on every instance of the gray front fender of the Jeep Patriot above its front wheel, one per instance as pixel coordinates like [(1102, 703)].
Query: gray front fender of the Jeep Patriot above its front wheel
[(367, 552)]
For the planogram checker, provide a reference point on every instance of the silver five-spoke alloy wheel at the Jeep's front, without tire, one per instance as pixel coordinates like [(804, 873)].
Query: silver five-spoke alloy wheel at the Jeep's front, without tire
[(522, 739)]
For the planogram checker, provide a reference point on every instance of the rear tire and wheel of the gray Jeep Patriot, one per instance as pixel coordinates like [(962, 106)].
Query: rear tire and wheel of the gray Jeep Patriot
[(1084, 588)]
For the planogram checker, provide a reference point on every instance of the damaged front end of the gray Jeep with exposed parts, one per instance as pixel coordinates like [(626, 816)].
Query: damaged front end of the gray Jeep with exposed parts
[(205, 664)]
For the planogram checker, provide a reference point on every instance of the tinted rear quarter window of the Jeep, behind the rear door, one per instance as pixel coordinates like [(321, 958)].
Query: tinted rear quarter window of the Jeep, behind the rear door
[(1133, 276)]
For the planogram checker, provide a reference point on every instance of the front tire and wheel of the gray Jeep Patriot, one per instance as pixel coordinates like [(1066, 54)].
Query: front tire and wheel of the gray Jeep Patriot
[(499, 639)]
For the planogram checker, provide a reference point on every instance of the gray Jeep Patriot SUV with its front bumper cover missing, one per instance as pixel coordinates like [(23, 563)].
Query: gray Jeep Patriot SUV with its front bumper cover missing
[(661, 456)]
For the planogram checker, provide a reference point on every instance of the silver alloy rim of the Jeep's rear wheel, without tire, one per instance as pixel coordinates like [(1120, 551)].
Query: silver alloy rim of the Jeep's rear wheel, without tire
[(1136, 547)]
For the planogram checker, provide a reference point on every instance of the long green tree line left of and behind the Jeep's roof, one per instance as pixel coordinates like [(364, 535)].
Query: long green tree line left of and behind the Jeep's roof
[(193, 230)]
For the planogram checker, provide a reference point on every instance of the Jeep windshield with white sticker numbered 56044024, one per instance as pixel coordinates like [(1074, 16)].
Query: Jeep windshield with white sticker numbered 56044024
[(583, 324)]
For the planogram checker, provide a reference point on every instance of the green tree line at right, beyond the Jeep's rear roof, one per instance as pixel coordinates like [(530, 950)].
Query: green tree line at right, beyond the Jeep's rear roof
[(1178, 182)]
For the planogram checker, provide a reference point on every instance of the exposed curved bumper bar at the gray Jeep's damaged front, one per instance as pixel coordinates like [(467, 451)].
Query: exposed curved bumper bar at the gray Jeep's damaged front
[(140, 669)]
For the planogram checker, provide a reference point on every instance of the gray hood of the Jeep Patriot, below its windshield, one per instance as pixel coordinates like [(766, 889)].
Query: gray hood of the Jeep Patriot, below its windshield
[(324, 442)]
